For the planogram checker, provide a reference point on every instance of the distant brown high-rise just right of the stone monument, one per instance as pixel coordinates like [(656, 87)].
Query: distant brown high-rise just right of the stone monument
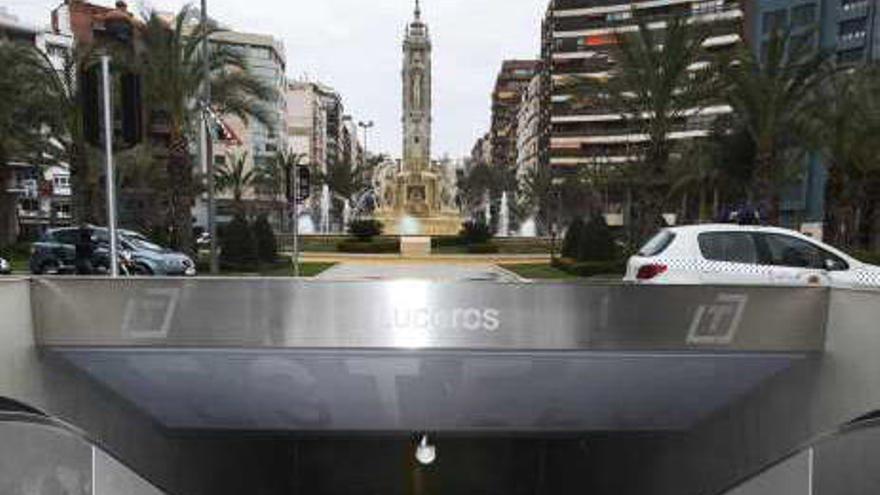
[(513, 80)]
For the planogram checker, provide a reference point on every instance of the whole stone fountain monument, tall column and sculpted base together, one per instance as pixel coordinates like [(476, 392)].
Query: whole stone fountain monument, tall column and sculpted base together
[(416, 197)]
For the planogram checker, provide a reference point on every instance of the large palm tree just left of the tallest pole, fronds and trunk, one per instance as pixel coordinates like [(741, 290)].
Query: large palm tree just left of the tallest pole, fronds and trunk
[(173, 83)]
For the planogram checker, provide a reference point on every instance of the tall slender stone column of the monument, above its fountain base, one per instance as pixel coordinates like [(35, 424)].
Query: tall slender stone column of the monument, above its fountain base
[(417, 95)]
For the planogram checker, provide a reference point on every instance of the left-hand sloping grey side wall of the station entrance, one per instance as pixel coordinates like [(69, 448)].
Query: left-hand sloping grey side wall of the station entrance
[(179, 464)]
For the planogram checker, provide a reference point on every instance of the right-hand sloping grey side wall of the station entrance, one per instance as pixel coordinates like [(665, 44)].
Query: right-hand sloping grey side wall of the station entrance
[(783, 415)]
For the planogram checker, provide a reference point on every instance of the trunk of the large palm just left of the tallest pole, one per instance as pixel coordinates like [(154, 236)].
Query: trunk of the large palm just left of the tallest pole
[(180, 196)]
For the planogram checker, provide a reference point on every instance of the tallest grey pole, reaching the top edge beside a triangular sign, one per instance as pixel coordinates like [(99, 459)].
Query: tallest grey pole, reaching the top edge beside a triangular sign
[(205, 148)]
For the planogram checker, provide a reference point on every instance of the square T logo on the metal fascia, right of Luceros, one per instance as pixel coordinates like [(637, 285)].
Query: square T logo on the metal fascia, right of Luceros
[(717, 323)]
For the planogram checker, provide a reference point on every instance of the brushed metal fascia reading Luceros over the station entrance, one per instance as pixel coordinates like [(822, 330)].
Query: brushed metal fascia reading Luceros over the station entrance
[(408, 314)]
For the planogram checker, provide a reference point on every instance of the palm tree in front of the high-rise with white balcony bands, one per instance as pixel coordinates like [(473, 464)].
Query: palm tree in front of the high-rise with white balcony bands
[(661, 79)]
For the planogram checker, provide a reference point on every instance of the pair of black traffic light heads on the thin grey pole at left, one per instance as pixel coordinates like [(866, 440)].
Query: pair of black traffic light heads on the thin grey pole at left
[(127, 107)]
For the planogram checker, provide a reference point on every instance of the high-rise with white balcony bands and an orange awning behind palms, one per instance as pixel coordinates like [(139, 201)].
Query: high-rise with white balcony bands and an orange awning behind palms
[(578, 44)]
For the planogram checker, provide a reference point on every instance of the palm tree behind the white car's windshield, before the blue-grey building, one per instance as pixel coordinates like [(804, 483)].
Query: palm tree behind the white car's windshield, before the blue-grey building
[(770, 94)]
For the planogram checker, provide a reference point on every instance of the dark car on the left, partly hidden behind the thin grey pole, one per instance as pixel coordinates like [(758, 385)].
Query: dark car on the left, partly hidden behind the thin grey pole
[(55, 253)]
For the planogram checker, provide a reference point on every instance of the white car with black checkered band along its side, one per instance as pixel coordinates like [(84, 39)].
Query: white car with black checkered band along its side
[(738, 254)]
